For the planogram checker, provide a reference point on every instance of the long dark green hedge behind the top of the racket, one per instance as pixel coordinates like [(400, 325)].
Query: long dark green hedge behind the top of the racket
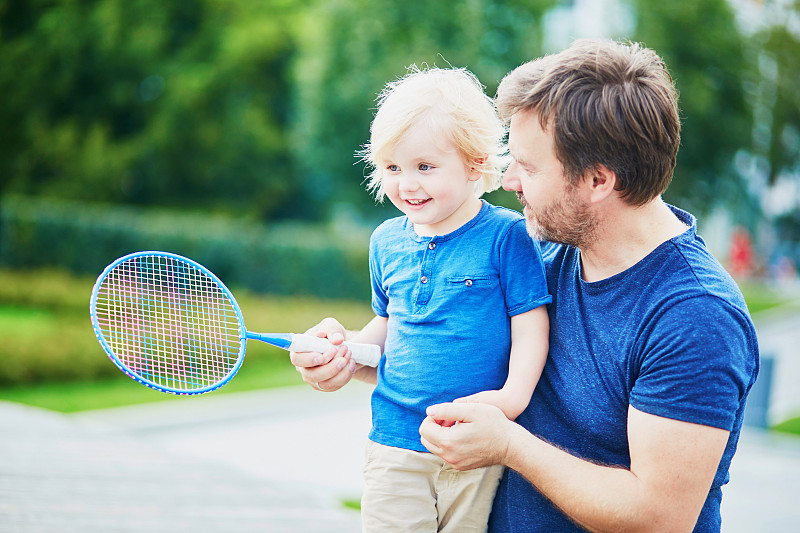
[(287, 259)]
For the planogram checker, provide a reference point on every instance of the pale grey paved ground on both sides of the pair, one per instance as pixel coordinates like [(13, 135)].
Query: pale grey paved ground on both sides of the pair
[(284, 460)]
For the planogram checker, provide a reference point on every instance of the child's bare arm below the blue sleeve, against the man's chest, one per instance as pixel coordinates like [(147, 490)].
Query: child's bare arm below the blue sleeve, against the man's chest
[(530, 334)]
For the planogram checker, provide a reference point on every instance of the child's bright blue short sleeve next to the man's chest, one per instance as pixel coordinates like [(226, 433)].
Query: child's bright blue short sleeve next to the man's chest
[(522, 271)]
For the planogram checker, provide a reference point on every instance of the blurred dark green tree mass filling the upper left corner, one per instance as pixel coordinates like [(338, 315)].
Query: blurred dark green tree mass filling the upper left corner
[(147, 102)]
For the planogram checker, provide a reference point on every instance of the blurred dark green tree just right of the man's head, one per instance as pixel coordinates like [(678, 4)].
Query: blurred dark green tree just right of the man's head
[(705, 52)]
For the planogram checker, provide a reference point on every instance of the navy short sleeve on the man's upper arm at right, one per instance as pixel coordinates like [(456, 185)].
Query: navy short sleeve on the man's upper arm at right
[(697, 364)]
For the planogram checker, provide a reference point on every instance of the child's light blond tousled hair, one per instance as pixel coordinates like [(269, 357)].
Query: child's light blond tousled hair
[(451, 100)]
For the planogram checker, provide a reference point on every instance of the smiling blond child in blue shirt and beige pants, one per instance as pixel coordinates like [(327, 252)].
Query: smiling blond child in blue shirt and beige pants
[(459, 314)]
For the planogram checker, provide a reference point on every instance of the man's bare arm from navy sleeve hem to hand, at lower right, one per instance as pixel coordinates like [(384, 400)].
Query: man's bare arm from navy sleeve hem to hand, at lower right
[(673, 464)]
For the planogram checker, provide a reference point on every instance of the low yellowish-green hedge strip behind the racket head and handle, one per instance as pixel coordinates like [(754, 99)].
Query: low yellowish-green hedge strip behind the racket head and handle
[(46, 335)]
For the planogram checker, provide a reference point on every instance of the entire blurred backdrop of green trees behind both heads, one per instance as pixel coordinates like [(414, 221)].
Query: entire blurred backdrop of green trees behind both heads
[(259, 107)]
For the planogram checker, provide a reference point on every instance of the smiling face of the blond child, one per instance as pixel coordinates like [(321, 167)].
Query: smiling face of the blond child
[(426, 178)]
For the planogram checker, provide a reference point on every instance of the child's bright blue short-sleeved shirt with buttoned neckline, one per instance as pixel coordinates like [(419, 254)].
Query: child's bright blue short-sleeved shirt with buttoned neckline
[(449, 302)]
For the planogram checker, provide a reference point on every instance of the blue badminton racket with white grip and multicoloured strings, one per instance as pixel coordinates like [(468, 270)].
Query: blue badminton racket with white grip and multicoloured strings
[(172, 325)]
